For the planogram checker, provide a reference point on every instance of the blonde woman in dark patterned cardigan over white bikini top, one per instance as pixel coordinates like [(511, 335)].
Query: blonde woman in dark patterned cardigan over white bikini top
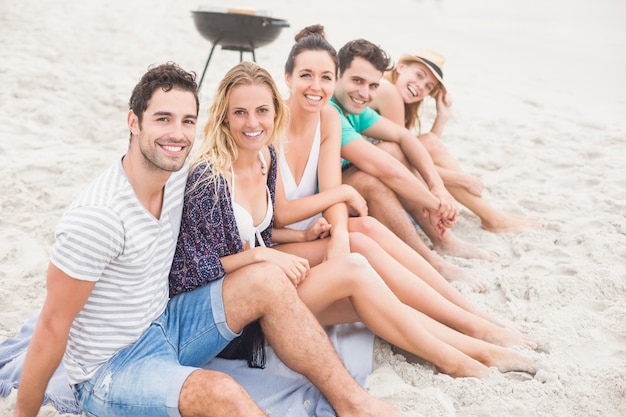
[(227, 222)]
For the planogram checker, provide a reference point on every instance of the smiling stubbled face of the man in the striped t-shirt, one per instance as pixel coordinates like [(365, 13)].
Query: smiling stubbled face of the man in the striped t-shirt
[(167, 131)]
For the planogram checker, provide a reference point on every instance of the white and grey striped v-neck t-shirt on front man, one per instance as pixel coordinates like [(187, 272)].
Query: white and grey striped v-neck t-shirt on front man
[(109, 237)]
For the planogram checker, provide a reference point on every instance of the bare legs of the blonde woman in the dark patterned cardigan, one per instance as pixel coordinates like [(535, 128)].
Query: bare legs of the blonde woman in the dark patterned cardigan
[(331, 284)]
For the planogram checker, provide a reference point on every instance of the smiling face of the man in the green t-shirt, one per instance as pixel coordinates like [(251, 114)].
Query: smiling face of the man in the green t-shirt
[(357, 86)]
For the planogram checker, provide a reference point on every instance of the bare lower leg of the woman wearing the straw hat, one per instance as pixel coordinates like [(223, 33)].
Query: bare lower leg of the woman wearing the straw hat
[(467, 189)]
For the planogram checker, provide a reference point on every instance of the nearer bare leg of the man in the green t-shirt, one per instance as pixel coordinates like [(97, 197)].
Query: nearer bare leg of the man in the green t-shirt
[(383, 204)]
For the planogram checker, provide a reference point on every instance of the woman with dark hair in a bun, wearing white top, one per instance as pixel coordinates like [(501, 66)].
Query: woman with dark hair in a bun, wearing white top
[(313, 141)]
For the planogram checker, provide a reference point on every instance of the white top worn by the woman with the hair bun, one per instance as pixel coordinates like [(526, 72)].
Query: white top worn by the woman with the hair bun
[(308, 183)]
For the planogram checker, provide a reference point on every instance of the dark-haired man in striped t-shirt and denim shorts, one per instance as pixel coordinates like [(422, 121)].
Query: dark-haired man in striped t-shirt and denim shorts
[(127, 348)]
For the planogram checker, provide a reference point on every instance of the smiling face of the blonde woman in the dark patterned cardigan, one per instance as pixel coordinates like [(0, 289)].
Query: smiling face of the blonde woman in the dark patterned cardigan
[(250, 116)]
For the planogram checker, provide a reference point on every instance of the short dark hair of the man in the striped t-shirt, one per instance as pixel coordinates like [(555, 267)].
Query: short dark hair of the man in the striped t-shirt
[(166, 77)]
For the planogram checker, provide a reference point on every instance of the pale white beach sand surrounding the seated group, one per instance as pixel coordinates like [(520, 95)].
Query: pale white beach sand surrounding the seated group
[(539, 90)]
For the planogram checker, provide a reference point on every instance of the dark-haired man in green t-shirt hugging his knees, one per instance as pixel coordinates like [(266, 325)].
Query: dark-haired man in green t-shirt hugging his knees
[(396, 175)]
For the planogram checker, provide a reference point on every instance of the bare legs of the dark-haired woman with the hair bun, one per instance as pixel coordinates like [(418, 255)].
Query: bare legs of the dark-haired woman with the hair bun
[(416, 293)]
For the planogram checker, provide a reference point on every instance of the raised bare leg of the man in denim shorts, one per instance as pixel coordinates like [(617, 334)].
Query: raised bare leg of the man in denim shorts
[(263, 291)]
